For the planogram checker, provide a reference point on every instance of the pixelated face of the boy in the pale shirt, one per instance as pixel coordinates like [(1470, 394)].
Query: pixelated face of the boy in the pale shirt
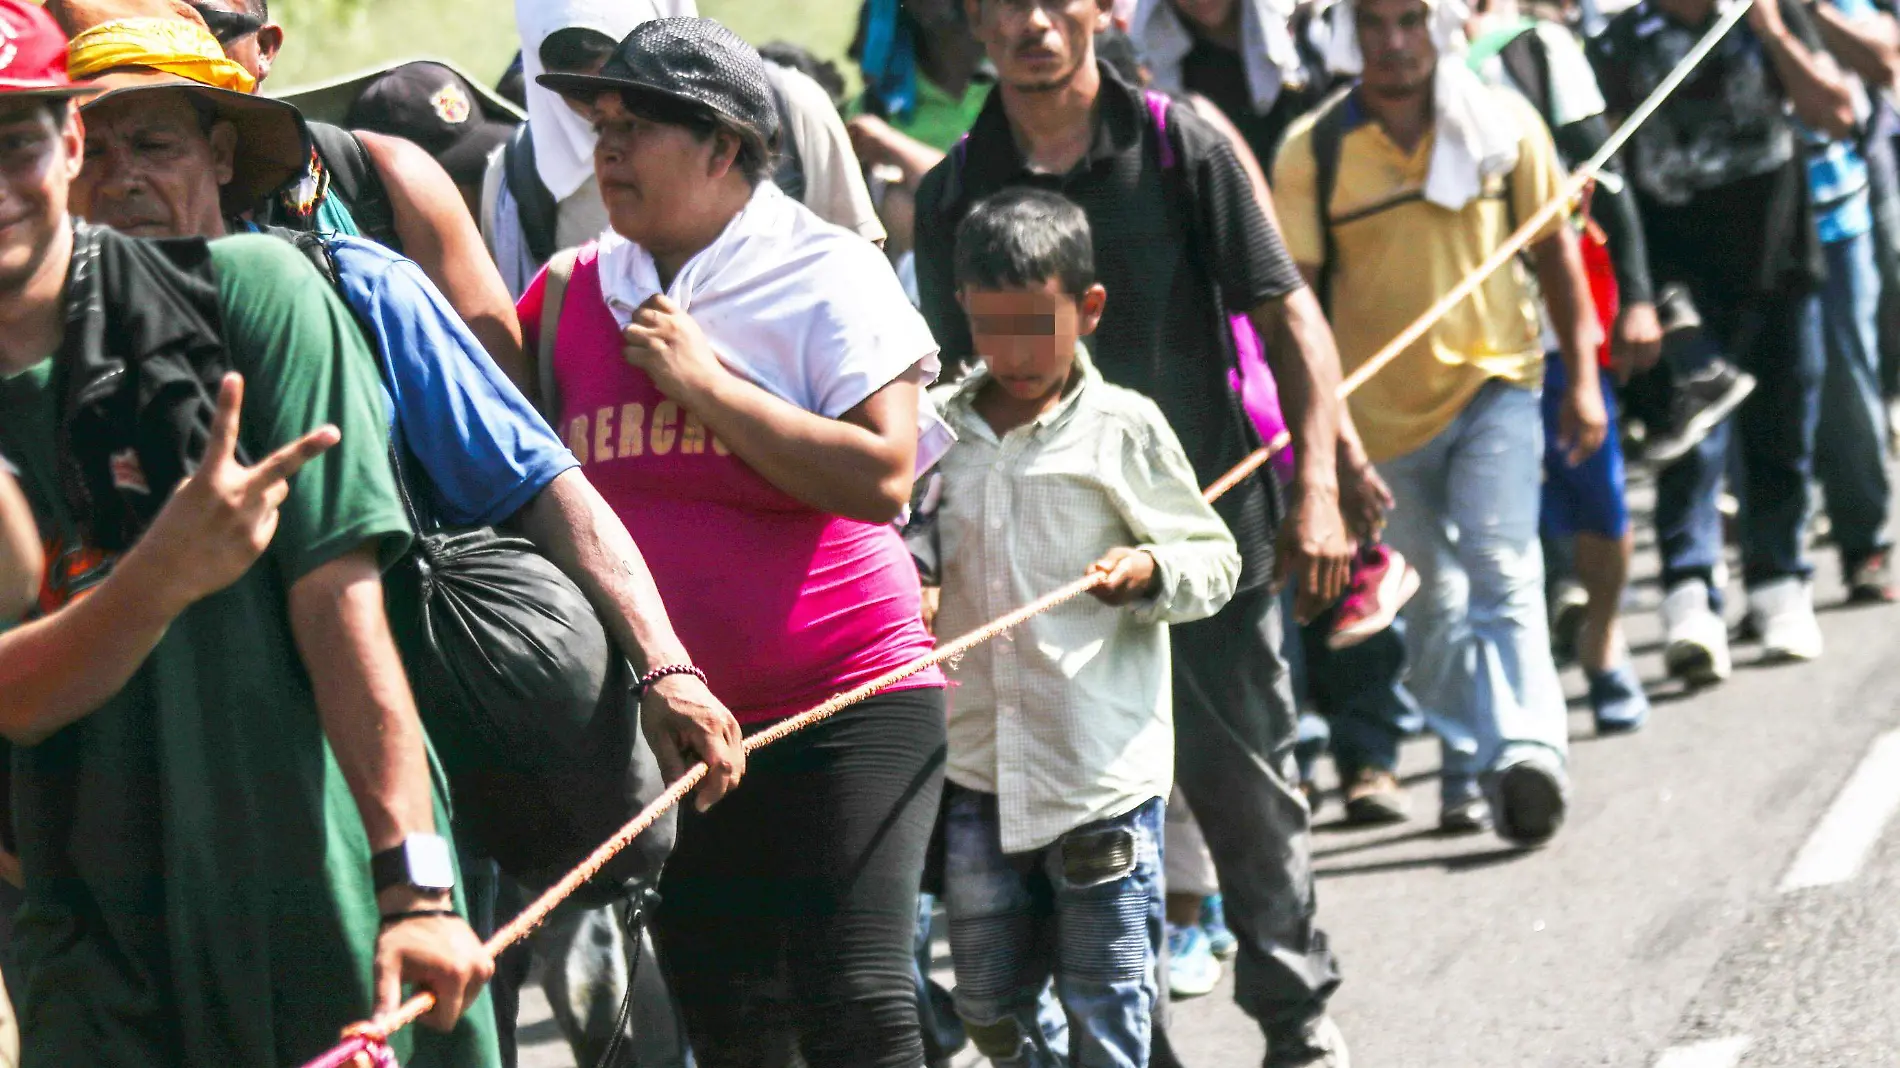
[(1027, 337)]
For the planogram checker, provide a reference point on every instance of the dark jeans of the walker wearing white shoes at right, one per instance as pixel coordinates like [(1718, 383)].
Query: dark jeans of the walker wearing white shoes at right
[(1779, 341)]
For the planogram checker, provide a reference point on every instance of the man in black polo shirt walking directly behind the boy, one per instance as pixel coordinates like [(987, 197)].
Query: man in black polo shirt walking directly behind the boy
[(1183, 248)]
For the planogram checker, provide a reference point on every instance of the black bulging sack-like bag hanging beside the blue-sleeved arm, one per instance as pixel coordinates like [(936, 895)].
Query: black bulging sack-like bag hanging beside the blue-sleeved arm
[(522, 689)]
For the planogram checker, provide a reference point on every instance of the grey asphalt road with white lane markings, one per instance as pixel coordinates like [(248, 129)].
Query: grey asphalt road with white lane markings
[(1724, 896)]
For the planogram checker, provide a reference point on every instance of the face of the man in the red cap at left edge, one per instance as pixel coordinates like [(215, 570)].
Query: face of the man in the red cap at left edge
[(39, 162)]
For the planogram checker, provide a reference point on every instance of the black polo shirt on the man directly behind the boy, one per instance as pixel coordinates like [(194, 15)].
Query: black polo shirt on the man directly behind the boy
[(1177, 250)]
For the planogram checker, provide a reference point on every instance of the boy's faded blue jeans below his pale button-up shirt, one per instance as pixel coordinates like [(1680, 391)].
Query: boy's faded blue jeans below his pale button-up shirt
[(1088, 909)]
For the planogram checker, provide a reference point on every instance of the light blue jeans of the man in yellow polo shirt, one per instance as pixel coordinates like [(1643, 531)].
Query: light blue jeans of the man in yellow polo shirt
[(1466, 516)]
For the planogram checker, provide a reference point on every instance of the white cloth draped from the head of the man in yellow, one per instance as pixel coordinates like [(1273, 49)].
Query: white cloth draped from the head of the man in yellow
[(1473, 140)]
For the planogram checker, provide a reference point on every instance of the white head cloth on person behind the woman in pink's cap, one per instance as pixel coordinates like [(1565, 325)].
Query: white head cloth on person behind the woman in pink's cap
[(563, 142)]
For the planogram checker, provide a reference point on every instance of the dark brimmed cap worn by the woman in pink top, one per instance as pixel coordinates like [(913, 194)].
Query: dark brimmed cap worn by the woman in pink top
[(693, 62)]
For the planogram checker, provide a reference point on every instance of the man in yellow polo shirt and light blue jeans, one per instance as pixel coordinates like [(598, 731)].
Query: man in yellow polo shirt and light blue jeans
[(1430, 172)]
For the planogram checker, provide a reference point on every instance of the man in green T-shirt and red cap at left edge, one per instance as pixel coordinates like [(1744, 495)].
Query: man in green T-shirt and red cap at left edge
[(199, 847)]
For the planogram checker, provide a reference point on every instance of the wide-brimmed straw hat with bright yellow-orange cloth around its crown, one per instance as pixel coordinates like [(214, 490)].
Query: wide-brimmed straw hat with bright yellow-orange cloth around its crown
[(142, 47)]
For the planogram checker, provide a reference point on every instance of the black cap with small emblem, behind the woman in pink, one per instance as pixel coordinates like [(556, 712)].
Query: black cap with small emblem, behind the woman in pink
[(440, 111)]
